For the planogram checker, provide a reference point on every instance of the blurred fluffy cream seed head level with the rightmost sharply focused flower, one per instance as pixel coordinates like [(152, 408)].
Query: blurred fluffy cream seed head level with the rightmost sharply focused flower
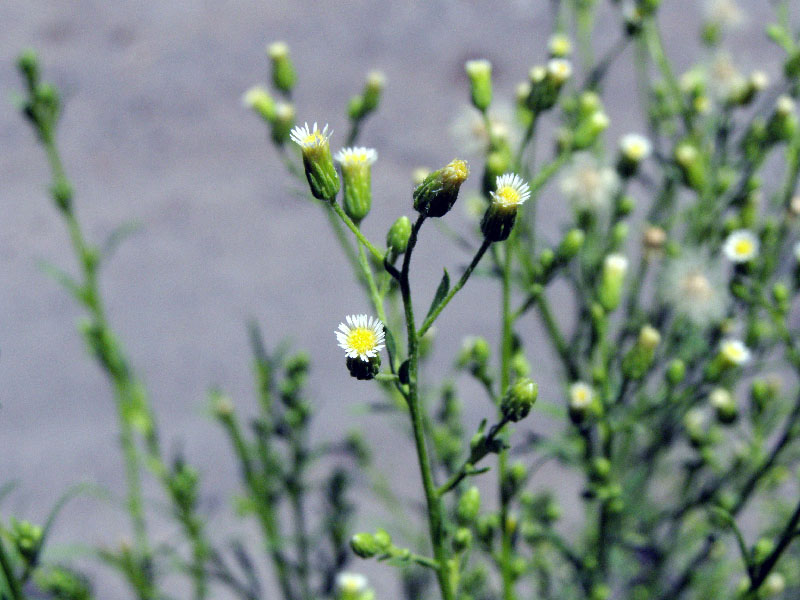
[(589, 186)]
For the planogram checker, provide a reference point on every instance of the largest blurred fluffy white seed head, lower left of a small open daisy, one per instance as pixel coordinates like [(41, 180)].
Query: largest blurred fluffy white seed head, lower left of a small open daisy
[(694, 285)]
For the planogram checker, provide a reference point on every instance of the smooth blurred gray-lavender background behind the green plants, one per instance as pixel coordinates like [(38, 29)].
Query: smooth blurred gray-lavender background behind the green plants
[(154, 133)]
